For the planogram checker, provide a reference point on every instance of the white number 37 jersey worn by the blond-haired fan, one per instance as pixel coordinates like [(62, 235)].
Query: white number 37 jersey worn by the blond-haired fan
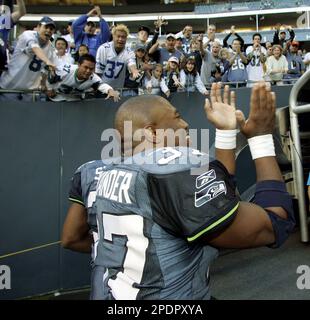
[(112, 66)]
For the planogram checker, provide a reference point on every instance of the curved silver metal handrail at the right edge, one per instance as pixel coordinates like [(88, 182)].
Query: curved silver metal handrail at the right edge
[(296, 153)]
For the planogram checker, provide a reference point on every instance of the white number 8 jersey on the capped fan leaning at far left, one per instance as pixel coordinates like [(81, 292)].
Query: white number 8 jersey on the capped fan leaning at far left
[(24, 68)]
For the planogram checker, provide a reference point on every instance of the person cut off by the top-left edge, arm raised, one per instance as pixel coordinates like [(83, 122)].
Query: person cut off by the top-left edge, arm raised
[(8, 20)]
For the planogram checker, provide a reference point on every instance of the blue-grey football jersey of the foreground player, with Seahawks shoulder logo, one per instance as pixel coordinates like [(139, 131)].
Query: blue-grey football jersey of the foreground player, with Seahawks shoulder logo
[(152, 221)]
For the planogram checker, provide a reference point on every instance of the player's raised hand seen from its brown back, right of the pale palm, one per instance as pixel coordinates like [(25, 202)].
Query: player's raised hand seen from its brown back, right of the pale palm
[(261, 119)]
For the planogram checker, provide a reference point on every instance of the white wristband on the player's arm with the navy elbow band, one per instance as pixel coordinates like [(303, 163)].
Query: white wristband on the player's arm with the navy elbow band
[(262, 146)]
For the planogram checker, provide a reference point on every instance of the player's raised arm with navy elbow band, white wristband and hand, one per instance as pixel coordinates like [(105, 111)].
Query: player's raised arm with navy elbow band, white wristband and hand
[(271, 219)]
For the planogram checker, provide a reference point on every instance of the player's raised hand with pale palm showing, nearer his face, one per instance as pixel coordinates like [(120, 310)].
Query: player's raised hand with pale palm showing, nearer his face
[(221, 111)]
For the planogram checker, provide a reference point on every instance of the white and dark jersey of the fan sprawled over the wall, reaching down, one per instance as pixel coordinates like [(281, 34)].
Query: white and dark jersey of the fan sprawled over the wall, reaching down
[(69, 88)]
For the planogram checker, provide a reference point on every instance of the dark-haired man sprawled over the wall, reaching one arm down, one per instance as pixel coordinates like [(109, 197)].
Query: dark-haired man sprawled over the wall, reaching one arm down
[(71, 82)]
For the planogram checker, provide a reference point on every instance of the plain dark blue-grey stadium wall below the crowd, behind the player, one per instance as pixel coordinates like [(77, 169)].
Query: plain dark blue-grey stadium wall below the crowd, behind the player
[(41, 146)]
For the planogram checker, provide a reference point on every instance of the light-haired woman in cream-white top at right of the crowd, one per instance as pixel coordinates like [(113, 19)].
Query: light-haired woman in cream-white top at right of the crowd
[(276, 65)]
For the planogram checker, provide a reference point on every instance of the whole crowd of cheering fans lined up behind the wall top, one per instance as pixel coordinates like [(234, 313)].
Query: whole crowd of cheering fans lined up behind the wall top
[(93, 60)]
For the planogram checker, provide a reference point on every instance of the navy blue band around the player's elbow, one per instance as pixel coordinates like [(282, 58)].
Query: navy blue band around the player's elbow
[(272, 193)]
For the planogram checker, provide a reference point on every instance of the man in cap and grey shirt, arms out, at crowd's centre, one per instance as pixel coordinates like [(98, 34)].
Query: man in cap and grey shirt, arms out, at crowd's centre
[(162, 55)]
